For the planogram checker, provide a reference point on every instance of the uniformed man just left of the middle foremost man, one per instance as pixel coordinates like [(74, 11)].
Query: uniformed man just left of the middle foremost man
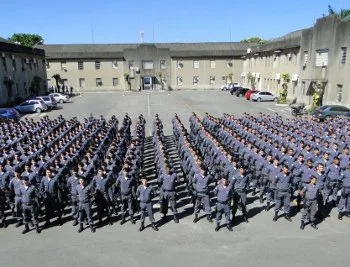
[(127, 191)]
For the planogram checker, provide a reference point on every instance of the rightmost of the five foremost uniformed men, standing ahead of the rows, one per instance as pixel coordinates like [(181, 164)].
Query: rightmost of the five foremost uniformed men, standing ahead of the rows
[(310, 193)]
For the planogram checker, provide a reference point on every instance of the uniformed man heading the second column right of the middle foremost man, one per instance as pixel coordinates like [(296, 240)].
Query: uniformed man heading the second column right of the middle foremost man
[(201, 183)]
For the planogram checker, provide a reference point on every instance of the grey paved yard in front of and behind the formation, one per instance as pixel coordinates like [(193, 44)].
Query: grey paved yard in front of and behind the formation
[(261, 242)]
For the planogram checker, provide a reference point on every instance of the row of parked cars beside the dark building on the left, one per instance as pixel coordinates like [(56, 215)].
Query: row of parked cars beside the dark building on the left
[(35, 104)]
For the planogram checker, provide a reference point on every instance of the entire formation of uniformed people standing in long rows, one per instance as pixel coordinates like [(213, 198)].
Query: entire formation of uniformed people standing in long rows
[(51, 167)]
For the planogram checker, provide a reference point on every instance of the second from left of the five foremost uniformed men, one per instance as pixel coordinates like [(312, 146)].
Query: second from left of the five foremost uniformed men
[(84, 193)]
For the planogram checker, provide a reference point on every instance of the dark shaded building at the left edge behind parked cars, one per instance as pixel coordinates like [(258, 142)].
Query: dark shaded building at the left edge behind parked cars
[(22, 72)]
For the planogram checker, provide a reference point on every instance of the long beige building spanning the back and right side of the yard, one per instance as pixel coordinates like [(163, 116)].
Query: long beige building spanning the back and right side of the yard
[(311, 57)]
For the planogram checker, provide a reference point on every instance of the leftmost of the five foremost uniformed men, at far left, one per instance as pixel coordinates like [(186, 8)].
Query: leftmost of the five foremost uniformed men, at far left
[(29, 195)]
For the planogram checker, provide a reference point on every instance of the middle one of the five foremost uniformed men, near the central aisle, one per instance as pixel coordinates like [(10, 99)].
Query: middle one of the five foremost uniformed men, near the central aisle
[(145, 193)]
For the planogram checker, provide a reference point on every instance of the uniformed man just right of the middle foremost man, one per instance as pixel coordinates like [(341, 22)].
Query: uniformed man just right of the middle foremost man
[(167, 180)]
